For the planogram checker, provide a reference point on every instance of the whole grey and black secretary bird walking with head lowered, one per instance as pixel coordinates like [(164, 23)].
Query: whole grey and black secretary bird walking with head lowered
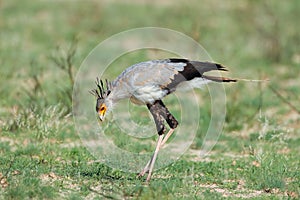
[(147, 83)]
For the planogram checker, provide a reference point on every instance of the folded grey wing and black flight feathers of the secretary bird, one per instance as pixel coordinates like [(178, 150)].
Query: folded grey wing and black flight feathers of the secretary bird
[(152, 80)]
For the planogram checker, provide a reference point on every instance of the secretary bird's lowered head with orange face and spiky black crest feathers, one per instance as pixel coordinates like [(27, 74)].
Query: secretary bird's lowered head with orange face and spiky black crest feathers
[(102, 105)]
